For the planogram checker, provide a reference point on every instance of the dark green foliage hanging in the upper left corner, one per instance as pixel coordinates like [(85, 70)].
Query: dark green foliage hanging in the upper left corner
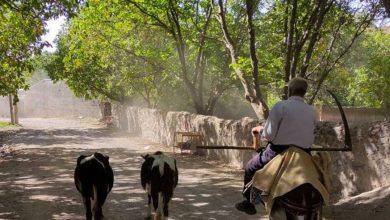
[(22, 24)]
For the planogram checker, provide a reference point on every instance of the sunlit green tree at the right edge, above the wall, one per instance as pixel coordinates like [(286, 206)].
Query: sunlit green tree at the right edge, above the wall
[(364, 77)]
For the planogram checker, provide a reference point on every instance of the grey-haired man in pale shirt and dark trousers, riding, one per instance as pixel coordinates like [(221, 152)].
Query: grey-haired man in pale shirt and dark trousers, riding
[(291, 122)]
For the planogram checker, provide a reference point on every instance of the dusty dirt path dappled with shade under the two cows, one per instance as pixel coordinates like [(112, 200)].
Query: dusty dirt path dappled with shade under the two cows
[(36, 181)]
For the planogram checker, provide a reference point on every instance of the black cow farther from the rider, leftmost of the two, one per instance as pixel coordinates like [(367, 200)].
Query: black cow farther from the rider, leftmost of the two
[(94, 179)]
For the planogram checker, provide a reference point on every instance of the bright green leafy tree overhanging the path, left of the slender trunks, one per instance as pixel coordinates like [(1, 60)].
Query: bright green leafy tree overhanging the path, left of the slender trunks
[(114, 59)]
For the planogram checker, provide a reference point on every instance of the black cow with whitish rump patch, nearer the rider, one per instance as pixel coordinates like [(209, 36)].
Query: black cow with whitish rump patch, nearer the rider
[(159, 177)]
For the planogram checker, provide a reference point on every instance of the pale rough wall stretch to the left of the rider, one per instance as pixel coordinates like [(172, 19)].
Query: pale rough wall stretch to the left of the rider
[(160, 127)]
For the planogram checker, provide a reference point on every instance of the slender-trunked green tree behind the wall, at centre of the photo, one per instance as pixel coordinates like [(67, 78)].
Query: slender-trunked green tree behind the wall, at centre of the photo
[(190, 26)]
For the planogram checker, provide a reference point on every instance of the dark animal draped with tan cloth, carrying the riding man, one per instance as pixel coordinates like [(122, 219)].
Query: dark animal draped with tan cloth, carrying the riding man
[(294, 185)]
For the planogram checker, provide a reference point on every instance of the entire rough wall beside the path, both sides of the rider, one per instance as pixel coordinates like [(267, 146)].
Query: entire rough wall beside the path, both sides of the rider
[(363, 169)]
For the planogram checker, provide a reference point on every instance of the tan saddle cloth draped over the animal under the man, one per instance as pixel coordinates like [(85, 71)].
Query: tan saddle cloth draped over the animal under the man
[(289, 170)]
